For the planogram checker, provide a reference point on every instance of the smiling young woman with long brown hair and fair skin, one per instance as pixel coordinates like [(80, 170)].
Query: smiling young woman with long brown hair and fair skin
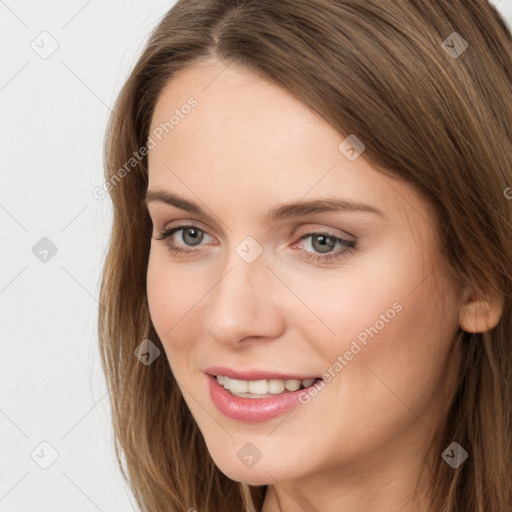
[(307, 295)]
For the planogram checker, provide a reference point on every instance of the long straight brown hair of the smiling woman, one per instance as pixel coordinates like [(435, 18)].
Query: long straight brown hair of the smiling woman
[(429, 109)]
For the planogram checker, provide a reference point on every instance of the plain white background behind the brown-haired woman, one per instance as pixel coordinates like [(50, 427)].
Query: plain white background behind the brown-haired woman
[(53, 116)]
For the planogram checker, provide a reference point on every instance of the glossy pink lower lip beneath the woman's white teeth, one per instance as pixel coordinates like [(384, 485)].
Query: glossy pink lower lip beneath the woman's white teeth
[(252, 410)]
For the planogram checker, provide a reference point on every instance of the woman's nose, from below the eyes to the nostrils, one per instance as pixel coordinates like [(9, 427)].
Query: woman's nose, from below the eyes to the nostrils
[(246, 303)]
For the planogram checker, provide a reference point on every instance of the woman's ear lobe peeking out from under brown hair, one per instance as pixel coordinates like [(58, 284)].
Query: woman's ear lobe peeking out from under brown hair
[(480, 312)]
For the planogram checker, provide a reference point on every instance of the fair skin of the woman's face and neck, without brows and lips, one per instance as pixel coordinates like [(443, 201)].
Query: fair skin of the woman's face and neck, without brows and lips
[(247, 146)]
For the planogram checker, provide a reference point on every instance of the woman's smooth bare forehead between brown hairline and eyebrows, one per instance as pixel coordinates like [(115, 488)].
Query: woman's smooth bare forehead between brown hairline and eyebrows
[(252, 144)]
